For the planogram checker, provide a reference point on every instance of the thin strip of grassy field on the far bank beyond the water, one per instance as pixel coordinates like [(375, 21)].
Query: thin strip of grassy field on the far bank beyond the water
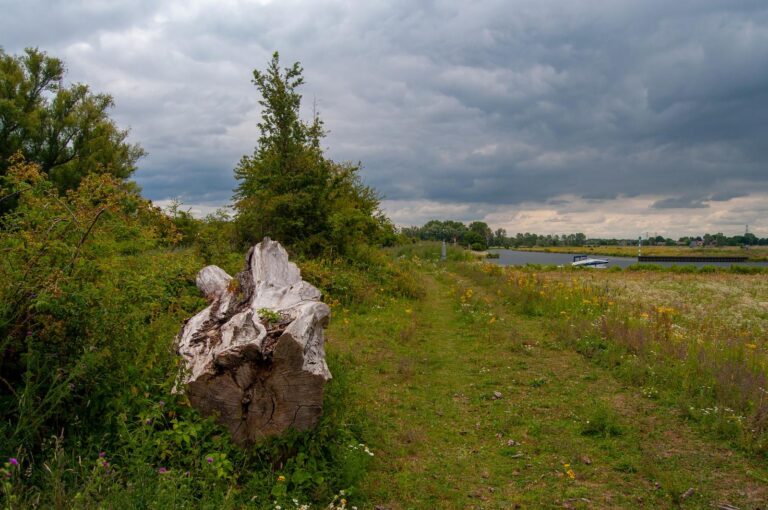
[(756, 253)]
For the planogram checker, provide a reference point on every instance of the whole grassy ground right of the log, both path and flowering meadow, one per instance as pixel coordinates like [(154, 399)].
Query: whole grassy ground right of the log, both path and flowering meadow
[(512, 389)]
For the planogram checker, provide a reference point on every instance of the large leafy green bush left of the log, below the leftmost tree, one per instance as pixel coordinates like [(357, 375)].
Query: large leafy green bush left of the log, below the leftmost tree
[(81, 289)]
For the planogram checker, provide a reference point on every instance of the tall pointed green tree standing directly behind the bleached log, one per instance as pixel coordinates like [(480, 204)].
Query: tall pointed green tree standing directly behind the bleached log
[(289, 190)]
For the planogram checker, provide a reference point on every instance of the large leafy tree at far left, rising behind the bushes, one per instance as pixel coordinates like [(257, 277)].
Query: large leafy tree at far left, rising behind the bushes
[(65, 130)]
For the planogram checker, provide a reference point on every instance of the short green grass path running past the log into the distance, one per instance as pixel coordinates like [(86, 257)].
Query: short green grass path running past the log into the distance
[(471, 414)]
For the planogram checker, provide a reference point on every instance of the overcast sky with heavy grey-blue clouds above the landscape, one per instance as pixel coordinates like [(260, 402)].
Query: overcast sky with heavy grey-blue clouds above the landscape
[(608, 117)]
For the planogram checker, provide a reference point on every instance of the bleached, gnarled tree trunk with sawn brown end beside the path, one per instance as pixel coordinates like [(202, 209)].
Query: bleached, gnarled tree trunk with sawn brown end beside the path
[(255, 356)]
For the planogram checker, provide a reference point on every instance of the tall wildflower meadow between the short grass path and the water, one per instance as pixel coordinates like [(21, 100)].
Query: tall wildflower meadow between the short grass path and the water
[(710, 360)]
